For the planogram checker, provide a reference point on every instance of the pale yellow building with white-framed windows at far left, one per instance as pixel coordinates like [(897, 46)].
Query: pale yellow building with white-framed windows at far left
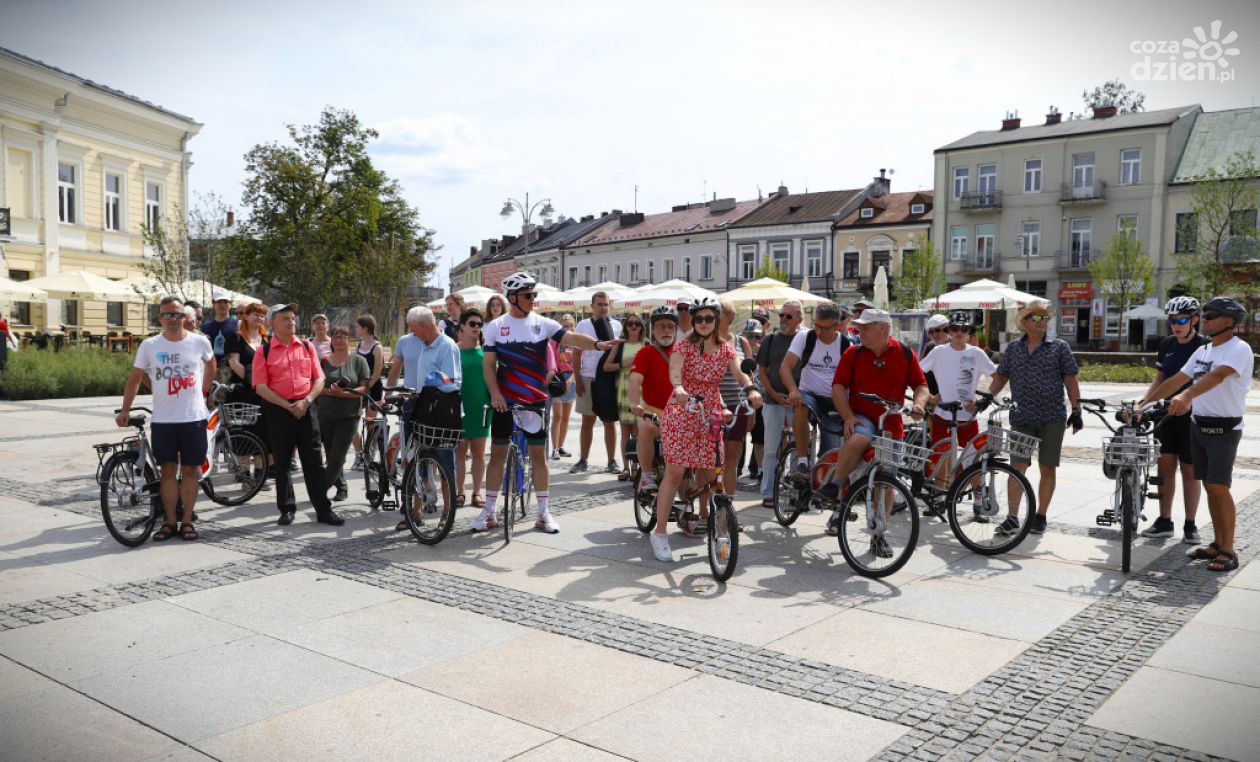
[(84, 168)]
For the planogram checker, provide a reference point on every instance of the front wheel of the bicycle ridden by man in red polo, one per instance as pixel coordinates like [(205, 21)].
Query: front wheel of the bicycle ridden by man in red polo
[(883, 545)]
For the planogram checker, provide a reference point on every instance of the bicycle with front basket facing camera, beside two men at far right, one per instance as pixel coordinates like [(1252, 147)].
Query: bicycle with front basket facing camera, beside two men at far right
[(1128, 459)]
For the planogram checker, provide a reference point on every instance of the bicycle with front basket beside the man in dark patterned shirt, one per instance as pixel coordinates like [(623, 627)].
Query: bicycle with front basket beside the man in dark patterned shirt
[(976, 497)]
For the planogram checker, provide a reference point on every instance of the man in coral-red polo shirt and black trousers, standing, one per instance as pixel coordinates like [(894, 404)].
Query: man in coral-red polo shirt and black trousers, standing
[(288, 376)]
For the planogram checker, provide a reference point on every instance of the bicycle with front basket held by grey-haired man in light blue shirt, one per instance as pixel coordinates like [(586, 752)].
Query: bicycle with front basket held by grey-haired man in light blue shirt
[(414, 473)]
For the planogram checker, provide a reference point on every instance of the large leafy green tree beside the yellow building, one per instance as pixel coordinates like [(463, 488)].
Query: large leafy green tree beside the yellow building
[(326, 226)]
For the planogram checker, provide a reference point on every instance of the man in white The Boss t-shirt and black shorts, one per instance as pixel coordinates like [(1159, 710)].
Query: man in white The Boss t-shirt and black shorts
[(181, 367)]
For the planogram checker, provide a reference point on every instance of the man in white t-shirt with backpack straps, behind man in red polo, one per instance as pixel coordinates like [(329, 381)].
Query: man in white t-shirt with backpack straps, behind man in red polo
[(818, 353)]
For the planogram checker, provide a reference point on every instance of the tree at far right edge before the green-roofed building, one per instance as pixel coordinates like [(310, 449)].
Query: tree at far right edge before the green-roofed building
[(1222, 231)]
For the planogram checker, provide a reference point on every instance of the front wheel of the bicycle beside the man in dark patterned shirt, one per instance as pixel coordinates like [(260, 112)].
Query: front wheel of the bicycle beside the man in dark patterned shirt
[(980, 502)]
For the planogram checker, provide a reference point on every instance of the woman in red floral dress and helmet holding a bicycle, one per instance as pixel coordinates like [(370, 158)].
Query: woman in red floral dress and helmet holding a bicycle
[(696, 367)]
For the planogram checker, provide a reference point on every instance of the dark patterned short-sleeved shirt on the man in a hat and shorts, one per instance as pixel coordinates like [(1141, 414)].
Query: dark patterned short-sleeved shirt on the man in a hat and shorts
[(1038, 380)]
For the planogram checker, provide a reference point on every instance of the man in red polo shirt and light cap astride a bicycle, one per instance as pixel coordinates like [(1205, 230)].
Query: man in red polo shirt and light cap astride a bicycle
[(880, 366)]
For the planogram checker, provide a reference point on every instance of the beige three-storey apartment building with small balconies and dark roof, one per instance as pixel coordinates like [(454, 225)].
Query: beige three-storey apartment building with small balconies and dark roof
[(1041, 202)]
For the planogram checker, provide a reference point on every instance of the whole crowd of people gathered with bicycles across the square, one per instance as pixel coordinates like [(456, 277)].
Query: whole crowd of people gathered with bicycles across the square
[(679, 381)]
